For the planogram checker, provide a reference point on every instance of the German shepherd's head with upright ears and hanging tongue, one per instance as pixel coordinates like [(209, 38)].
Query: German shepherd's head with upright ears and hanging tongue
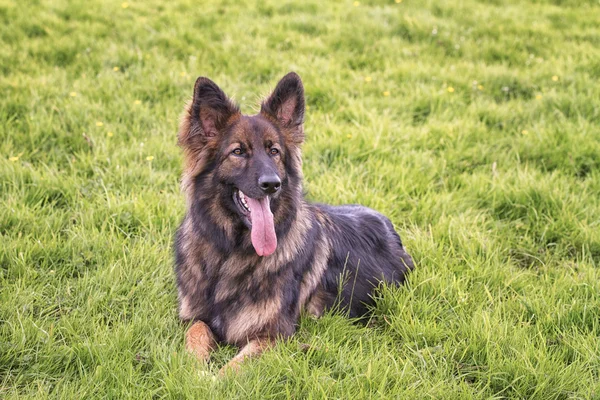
[(250, 163)]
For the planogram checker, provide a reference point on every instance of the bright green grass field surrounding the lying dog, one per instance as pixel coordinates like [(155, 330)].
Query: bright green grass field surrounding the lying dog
[(474, 125)]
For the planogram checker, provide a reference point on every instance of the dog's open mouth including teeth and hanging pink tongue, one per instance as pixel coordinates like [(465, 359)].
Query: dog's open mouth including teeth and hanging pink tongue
[(260, 219)]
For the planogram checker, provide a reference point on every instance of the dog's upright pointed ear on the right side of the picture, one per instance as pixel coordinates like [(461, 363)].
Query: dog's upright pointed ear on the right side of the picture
[(286, 105)]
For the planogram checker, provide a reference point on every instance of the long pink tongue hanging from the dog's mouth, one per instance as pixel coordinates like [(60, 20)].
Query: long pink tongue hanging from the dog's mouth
[(263, 229)]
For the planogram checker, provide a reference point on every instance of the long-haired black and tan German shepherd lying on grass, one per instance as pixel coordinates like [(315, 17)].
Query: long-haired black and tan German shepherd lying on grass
[(251, 253)]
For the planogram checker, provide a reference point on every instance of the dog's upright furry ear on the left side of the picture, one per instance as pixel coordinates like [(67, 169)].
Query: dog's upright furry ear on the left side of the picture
[(207, 115)]
